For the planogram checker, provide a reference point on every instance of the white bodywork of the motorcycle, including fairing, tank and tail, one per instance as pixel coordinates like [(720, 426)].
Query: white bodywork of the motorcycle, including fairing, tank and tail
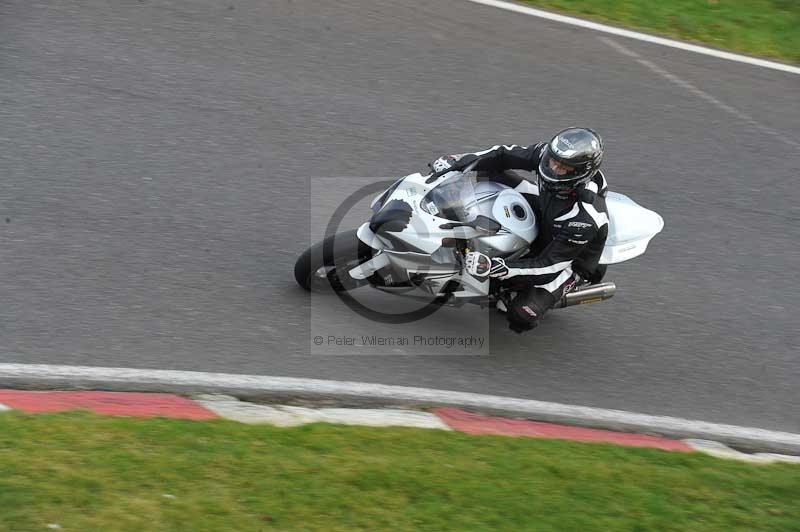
[(437, 225)]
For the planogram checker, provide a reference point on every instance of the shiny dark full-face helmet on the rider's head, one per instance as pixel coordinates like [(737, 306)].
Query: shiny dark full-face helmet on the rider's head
[(570, 159)]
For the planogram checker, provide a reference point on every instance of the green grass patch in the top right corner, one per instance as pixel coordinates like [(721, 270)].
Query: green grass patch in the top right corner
[(769, 28)]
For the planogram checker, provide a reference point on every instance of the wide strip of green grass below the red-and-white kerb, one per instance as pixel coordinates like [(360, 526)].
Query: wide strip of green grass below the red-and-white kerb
[(92, 473)]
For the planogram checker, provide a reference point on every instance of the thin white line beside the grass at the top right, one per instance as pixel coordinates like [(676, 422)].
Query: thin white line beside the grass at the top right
[(639, 36)]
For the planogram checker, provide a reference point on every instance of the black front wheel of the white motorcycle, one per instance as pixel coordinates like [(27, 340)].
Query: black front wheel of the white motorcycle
[(324, 266)]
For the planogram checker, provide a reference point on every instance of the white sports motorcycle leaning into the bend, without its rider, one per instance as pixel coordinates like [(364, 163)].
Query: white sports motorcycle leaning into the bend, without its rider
[(422, 226)]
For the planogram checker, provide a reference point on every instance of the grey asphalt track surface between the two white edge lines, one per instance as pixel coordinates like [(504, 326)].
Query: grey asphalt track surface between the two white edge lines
[(157, 159)]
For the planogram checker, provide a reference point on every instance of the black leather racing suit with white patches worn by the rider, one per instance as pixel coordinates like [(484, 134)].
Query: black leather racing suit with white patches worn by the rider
[(572, 232)]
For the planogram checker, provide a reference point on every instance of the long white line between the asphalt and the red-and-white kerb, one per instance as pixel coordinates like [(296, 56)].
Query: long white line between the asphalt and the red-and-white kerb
[(171, 380)]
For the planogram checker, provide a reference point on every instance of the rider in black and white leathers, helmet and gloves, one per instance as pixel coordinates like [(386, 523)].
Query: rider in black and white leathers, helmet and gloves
[(570, 208)]
